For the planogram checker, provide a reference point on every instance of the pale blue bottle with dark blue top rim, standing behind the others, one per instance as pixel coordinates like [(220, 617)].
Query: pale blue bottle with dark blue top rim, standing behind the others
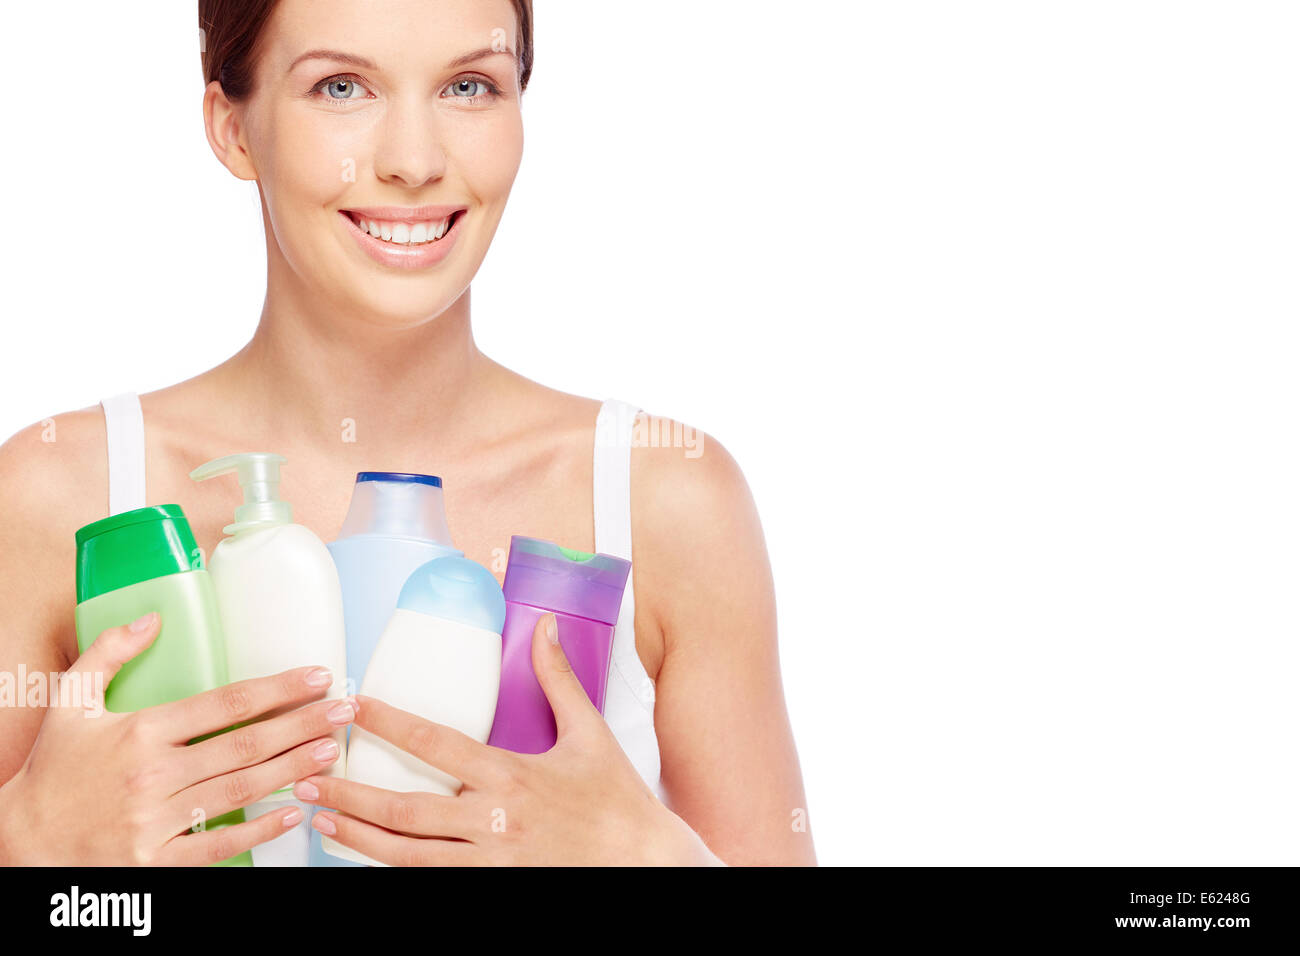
[(395, 525)]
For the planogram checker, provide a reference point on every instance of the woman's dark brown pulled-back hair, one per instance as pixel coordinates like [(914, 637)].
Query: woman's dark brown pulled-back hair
[(232, 29)]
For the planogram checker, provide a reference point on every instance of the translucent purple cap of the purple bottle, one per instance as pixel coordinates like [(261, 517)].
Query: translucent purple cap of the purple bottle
[(564, 581)]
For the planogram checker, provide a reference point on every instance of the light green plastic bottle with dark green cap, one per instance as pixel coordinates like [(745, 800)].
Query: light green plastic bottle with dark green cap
[(144, 561)]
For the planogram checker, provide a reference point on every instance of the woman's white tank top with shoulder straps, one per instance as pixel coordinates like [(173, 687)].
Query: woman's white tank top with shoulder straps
[(630, 697)]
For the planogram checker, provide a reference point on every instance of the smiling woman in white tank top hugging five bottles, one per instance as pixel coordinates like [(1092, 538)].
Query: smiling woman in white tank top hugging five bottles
[(384, 140)]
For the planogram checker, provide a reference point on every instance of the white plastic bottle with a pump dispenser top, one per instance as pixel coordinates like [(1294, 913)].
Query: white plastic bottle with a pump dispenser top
[(281, 608)]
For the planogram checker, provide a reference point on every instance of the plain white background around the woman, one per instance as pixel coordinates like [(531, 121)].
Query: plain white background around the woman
[(994, 302)]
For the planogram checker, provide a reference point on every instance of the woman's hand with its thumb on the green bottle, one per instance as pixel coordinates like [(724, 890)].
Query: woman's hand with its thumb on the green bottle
[(106, 789)]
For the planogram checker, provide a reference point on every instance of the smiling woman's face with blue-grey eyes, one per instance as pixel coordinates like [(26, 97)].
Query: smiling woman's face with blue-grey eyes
[(431, 119)]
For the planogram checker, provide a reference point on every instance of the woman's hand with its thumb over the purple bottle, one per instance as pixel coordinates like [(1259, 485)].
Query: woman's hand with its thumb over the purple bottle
[(582, 803)]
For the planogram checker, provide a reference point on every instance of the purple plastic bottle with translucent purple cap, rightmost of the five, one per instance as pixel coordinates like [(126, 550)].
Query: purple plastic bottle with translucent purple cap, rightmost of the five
[(584, 591)]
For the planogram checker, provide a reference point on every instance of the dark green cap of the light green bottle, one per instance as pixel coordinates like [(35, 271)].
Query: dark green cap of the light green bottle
[(135, 547)]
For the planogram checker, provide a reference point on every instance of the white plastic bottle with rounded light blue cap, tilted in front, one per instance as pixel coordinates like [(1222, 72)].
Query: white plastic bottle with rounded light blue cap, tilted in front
[(439, 659)]
